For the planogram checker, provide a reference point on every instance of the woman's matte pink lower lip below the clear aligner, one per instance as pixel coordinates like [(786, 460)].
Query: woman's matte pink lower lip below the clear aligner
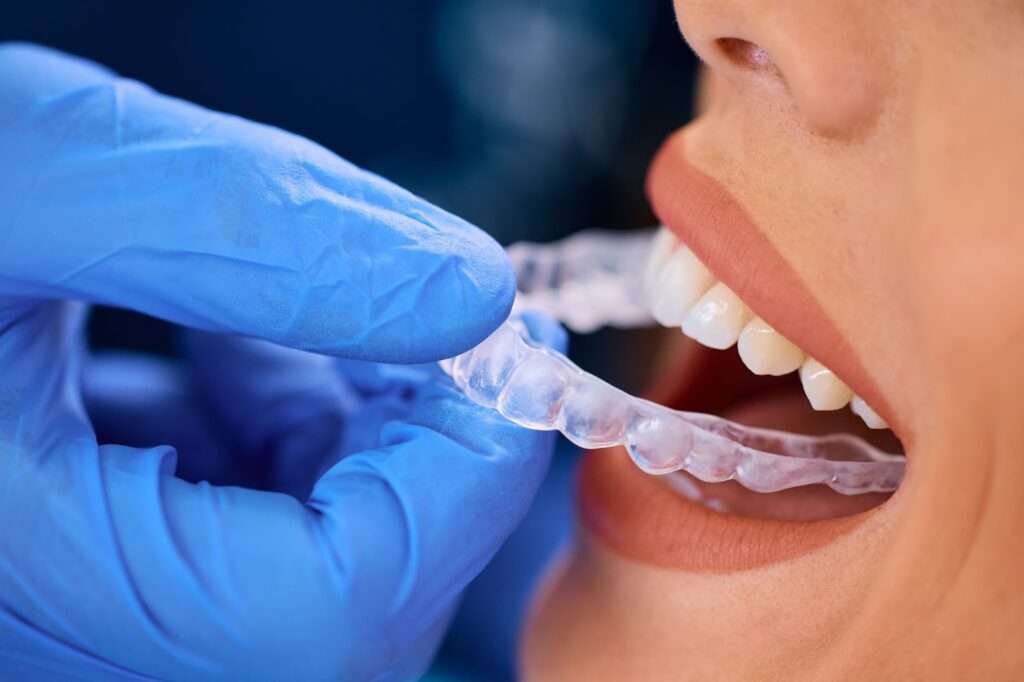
[(644, 519)]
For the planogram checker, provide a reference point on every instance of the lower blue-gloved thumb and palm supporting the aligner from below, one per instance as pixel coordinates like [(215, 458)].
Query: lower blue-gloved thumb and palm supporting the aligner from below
[(193, 581)]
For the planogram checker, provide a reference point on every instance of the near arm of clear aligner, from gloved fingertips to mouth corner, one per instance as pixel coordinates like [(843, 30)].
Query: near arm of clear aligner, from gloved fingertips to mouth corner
[(541, 390)]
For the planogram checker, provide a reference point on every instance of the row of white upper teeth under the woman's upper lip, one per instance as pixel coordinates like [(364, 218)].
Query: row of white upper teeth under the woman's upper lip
[(681, 292)]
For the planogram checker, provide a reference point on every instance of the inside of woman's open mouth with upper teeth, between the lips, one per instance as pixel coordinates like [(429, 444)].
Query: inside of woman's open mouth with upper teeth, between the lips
[(731, 363)]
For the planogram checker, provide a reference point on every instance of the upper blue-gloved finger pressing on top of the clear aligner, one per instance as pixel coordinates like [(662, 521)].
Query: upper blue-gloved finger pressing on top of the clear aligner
[(118, 195)]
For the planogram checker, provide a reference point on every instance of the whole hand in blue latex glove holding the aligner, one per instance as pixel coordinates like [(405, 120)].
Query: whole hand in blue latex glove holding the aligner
[(111, 567)]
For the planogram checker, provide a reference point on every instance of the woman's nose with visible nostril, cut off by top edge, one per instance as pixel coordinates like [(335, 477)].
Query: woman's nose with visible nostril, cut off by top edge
[(826, 62)]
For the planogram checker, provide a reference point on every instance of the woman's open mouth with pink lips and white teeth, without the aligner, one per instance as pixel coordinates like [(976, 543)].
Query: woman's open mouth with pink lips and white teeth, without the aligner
[(714, 276)]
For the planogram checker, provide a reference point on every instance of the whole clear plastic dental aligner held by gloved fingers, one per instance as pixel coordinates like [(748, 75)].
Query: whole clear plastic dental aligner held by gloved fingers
[(542, 390)]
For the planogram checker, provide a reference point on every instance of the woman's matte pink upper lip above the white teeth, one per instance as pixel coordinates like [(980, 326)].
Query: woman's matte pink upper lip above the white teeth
[(715, 226)]
